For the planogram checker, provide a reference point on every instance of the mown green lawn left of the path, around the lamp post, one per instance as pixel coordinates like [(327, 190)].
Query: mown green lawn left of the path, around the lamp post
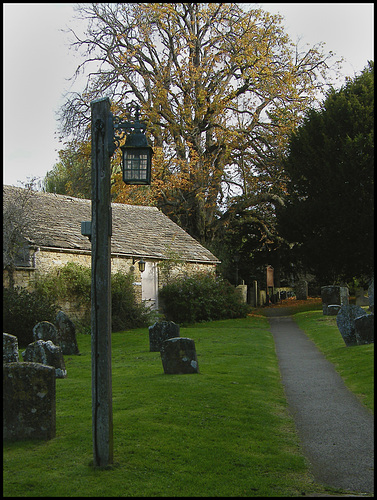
[(223, 432)]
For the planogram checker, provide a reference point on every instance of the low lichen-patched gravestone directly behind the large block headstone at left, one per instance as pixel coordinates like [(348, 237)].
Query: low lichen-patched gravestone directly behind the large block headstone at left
[(46, 353)]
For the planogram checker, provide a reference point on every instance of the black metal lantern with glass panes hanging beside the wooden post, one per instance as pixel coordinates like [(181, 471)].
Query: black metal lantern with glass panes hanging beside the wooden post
[(137, 159)]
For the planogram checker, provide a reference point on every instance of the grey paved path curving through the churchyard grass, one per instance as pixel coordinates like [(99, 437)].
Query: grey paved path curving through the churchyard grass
[(335, 429)]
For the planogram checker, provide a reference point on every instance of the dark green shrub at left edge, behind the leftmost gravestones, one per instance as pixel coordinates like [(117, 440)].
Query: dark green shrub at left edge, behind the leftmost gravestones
[(22, 310)]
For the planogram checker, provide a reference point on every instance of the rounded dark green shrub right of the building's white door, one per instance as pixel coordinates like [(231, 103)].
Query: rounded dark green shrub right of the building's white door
[(201, 297)]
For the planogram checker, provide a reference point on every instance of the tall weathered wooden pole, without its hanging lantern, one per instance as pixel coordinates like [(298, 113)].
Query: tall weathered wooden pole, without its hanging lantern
[(102, 412)]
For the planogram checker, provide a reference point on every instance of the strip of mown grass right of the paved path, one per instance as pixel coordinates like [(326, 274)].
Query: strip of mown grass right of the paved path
[(354, 364)]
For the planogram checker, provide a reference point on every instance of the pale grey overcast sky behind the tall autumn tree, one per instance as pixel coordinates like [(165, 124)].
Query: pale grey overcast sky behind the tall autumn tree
[(38, 62)]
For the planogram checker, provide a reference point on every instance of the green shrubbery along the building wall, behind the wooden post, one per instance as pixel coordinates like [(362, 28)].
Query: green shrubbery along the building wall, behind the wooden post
[(22, 310)]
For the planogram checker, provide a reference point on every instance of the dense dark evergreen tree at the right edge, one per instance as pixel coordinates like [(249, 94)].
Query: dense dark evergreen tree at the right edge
[(330, 162)]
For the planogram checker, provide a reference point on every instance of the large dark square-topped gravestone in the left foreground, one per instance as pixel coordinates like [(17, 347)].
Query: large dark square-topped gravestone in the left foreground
[(29, 401)]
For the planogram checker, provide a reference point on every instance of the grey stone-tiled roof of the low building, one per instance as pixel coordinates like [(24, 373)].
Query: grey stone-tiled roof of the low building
[(137, 230)]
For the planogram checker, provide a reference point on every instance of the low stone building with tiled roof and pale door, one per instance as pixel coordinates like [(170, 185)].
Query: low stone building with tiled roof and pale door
[(53, 238)]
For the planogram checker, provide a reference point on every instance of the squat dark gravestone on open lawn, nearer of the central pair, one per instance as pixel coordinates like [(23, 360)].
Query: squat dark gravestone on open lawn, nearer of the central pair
[(178, 356)]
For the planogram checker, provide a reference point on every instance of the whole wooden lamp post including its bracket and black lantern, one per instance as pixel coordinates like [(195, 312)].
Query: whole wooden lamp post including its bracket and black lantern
[(136, 170)]
